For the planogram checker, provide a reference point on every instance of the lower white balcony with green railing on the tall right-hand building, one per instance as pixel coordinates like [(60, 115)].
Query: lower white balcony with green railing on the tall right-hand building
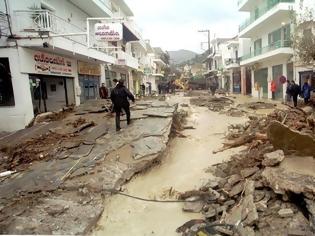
[(278, 48)]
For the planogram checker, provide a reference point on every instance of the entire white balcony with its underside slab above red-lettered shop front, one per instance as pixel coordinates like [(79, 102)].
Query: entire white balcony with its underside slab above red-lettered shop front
[(32, 28)]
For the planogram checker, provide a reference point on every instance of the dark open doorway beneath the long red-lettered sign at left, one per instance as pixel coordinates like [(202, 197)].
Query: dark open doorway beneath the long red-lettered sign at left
[(51, 93)]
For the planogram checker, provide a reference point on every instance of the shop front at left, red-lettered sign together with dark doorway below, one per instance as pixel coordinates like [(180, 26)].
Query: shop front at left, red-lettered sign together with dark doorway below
[(51, 80)]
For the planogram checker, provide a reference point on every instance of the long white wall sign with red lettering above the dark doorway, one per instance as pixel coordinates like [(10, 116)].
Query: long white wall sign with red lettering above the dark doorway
[(37, 62)]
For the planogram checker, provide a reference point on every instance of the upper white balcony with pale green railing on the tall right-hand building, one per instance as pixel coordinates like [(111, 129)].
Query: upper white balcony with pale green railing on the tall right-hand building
[(266, 15)]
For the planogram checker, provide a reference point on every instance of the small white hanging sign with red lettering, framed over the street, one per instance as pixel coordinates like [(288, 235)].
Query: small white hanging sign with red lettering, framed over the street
[(108, 32)]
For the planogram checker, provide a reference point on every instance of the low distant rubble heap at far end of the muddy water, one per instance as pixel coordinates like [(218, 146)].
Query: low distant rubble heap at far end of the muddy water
[(213, 103)]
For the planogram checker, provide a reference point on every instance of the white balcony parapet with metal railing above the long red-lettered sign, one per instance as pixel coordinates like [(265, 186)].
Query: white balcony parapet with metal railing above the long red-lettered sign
[(41, 21)]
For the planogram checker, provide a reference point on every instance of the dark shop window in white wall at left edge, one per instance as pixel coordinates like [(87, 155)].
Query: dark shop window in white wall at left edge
[(6, 88)]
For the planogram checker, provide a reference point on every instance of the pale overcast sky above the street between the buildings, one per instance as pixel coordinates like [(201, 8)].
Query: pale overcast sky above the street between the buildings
[(174, 24)]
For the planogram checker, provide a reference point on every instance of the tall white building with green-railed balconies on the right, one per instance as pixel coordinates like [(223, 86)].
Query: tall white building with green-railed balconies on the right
[(270, 57)]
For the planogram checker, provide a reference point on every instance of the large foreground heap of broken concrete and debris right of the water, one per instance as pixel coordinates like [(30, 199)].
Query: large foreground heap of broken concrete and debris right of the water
[(268, 189)]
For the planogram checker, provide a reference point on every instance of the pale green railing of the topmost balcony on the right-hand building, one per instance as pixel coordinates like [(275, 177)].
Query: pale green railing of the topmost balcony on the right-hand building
[(260, 11)]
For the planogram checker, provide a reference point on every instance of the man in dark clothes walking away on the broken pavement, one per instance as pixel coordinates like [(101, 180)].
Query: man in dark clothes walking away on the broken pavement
[(119, 97)]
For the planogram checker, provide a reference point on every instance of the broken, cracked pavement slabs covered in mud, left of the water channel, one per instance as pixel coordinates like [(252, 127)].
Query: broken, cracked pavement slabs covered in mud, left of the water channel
[(67, 167)]
